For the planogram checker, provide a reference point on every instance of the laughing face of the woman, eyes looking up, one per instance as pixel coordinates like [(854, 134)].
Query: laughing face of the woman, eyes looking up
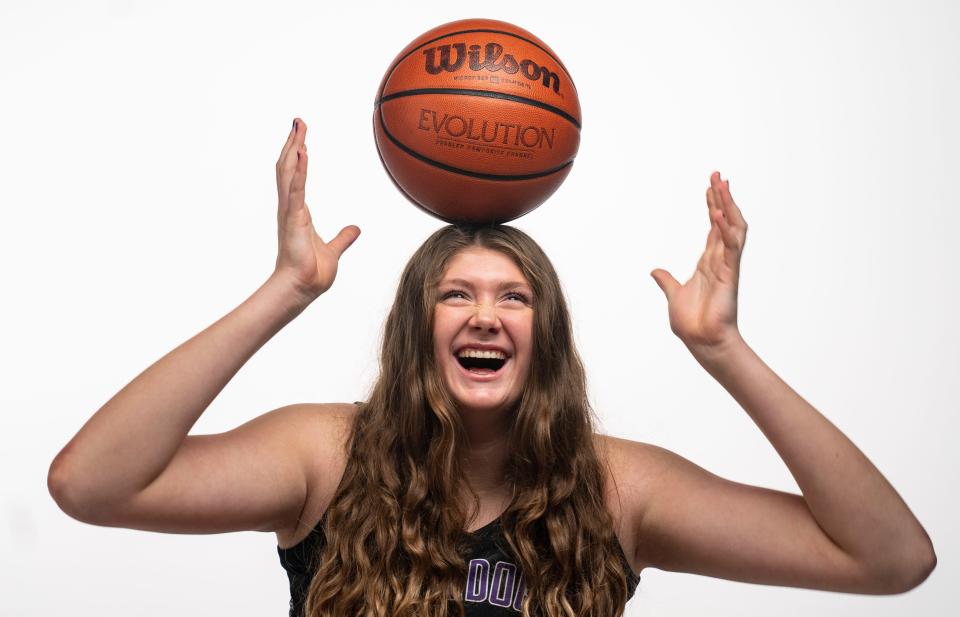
[(483, 330)]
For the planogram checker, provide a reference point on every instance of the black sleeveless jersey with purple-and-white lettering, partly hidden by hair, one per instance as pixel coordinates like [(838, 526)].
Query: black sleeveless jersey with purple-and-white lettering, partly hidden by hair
[(495, 587)]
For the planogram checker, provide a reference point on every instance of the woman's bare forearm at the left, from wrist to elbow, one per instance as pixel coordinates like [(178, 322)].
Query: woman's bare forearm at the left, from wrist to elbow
[(132, 438)]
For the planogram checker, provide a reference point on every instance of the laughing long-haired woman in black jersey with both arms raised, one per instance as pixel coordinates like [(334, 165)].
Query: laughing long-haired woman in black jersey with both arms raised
[(471, 478)]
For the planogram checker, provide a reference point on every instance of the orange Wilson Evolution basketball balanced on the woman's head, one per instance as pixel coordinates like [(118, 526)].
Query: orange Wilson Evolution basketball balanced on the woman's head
[(477, 121)]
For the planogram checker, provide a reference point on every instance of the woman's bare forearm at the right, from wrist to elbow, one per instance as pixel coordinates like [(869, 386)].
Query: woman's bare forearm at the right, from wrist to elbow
[(849, 498)]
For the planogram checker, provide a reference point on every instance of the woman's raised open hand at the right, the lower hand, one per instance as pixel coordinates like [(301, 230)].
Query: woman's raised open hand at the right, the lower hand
[(703, 311)]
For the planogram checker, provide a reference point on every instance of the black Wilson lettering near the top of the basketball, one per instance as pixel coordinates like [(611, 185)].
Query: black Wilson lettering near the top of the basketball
[(451, 58)]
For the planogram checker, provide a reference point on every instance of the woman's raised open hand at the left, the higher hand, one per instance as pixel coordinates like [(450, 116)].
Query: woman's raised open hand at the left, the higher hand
[(303, 258)]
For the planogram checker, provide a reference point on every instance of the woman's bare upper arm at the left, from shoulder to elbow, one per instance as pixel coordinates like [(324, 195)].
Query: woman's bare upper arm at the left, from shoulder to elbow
[(252, 478)]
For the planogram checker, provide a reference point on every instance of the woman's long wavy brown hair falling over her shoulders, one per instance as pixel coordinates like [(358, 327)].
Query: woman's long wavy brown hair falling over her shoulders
[(394, 530)]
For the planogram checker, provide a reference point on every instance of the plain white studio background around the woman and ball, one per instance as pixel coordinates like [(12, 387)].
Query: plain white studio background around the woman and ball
[(137, 145)]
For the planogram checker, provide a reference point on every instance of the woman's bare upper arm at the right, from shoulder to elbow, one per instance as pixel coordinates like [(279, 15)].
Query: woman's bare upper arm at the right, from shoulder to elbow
[(687, 519)]
